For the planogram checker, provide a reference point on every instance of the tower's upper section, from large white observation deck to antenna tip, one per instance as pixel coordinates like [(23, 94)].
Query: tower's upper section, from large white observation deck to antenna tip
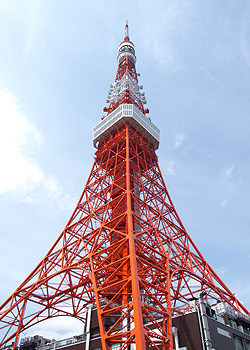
[(126, 100)]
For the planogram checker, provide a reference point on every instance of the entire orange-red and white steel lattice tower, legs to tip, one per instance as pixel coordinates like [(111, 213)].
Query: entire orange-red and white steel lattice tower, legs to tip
[(124, 248)]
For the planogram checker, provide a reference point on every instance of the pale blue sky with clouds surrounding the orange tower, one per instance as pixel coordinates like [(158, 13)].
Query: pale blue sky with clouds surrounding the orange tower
[(57, 60)]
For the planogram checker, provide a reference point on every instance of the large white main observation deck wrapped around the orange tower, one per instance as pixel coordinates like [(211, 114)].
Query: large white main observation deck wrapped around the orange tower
[(129, 114)]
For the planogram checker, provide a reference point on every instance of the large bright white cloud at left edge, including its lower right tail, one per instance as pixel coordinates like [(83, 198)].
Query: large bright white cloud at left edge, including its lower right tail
[(20, 174)]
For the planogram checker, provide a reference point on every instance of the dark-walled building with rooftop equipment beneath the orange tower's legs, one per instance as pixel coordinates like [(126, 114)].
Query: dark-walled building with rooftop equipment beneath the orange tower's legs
[(201, 328)]
